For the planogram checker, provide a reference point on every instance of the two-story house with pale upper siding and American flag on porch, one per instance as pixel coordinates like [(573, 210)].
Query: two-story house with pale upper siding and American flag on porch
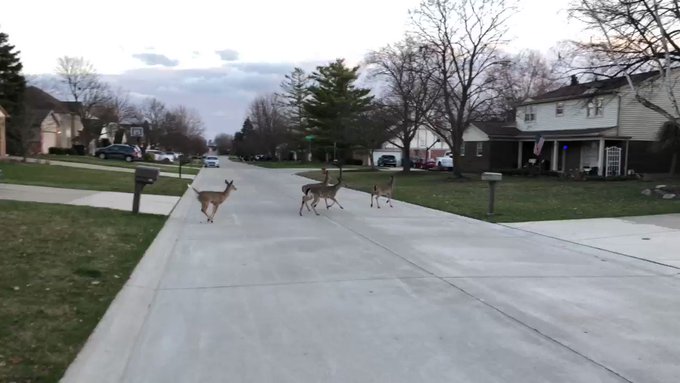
[(597, 126)]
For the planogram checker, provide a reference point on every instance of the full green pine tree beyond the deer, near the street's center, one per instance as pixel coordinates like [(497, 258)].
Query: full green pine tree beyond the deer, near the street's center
[(335, 103)]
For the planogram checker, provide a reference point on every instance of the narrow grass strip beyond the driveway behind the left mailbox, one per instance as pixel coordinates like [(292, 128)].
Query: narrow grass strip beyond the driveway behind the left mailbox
[(88, 179)]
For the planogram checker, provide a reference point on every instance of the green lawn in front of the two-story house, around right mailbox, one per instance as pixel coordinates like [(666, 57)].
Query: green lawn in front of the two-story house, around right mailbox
[(518, 199)]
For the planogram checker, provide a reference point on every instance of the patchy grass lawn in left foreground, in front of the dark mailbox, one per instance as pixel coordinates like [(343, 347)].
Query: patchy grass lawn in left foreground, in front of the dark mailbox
[(57, 278)]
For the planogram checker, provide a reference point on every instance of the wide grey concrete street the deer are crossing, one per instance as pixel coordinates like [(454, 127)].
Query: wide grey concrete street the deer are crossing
[(406, 294)]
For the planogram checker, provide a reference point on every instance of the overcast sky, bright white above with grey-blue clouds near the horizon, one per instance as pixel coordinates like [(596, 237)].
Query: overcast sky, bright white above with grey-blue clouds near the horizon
[(217, 57)]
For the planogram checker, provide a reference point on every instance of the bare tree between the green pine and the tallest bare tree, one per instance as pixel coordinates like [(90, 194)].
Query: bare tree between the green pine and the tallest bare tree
[(409, 89)]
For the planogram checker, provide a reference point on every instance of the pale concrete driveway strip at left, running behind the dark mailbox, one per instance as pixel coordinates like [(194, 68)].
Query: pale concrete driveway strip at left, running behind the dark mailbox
[(149, 203)]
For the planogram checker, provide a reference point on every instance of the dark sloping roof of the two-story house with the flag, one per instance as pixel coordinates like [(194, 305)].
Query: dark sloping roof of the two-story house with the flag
[(589, 89)]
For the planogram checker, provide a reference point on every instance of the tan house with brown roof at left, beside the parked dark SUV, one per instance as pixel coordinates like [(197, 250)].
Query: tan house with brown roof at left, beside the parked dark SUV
[(53, 123)]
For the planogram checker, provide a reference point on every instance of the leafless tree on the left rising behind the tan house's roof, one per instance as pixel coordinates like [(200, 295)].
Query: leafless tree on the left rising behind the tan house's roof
[(85, 87)]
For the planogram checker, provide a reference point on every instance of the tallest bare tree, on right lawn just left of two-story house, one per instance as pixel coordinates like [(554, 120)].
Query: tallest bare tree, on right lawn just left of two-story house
[(464, 37)]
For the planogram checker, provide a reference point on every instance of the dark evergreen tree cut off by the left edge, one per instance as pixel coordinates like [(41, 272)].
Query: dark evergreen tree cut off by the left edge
[(12, 86)]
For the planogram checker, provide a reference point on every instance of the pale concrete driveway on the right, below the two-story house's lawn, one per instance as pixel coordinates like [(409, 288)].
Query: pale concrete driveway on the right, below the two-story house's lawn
[(655, 238)]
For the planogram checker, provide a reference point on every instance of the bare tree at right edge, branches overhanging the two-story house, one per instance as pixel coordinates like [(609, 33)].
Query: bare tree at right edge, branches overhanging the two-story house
[(636, 36)]
